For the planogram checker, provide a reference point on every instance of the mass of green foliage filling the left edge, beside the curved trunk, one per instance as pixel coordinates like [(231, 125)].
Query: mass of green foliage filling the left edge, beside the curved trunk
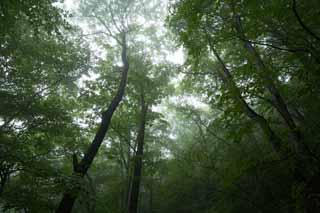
[(39, 67)]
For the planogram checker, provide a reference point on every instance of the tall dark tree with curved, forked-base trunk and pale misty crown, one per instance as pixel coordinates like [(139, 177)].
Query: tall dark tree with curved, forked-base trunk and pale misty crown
[(115, 20)]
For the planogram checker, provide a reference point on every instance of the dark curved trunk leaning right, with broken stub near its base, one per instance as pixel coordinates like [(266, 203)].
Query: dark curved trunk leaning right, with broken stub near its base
[(81, 168)]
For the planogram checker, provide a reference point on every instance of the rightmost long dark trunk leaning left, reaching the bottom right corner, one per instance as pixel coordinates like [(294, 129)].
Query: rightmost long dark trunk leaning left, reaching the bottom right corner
[(303, 161)]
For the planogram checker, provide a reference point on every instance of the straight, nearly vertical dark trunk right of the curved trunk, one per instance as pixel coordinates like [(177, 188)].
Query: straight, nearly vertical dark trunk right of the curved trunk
[(133, 197)]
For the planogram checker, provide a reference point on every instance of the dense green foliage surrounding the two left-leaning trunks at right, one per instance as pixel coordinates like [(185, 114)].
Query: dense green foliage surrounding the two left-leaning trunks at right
[(247, 175)]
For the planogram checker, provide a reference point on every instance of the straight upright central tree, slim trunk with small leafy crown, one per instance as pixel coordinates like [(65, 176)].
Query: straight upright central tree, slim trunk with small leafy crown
[(151, 85)]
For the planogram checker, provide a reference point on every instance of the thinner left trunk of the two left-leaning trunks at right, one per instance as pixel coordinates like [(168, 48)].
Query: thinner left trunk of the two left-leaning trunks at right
[(226, 76)]
